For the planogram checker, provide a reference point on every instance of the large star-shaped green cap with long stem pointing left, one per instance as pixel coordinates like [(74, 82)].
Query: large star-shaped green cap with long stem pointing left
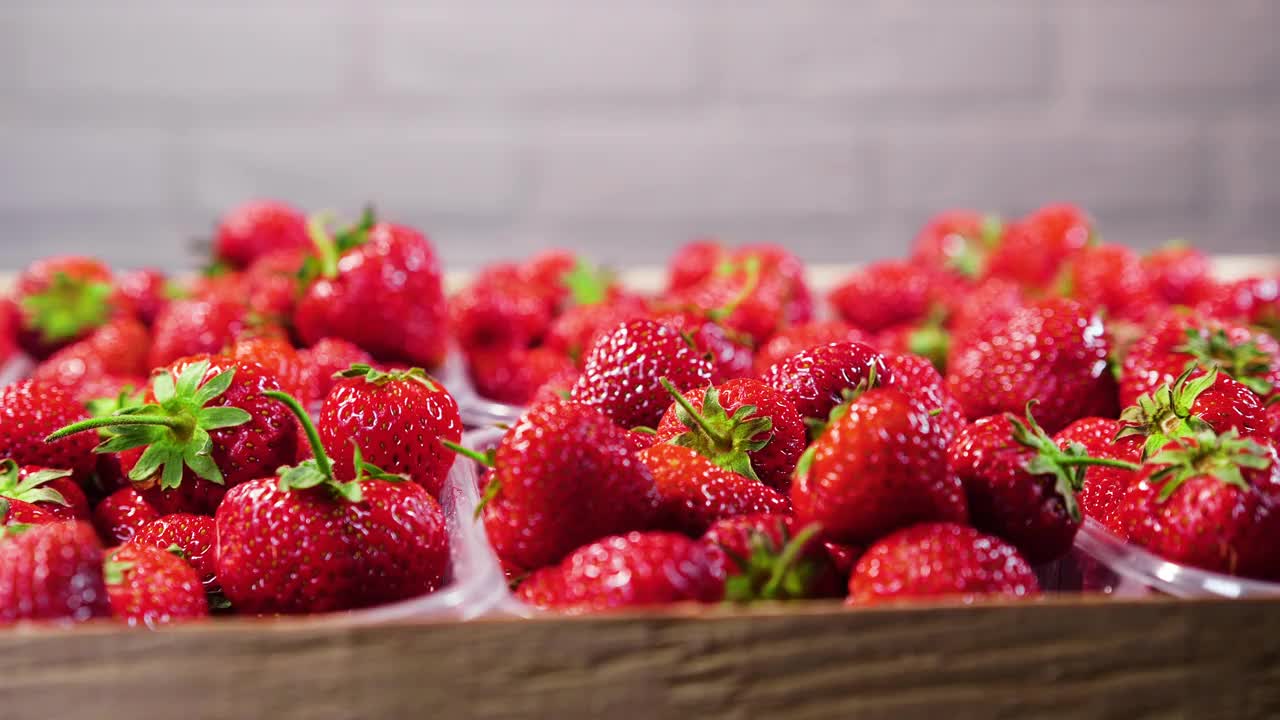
[(175, 430)]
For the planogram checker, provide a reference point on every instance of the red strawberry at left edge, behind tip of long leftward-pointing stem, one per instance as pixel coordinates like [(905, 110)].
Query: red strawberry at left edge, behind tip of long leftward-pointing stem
[(29, 412)]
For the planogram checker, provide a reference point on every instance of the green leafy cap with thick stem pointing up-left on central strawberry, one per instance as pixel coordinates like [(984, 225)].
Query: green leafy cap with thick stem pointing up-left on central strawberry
[(725, 440)]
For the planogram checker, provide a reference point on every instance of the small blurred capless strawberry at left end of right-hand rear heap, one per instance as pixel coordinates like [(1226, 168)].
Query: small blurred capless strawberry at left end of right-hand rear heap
[(884, 295)]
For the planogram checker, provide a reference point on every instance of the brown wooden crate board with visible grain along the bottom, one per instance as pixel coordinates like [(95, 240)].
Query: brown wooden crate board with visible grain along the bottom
[(1082, 658)]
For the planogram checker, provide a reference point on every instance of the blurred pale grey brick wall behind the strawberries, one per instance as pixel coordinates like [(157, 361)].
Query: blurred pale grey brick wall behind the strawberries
[(623, 129)]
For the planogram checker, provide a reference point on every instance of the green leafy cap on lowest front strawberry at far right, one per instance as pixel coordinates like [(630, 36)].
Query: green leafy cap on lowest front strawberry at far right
[(1222, 457)]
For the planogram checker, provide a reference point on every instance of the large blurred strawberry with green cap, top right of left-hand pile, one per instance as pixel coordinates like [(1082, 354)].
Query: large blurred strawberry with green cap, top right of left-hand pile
[(380, 289)]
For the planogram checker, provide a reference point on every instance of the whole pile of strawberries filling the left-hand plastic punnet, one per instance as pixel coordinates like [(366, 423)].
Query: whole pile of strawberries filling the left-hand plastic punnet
[(263, 440)]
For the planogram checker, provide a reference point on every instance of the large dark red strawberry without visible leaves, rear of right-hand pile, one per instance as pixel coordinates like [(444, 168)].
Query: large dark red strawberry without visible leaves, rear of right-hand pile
[(1052, 352)]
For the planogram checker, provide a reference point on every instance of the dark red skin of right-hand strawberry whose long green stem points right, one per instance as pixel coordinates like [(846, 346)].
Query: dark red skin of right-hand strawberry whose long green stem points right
[(1004, 498)]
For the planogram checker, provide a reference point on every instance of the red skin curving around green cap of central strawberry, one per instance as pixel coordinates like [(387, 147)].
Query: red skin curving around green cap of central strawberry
[(776, 462)]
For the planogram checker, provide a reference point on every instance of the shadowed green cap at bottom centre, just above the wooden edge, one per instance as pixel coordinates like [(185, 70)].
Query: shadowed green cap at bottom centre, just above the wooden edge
[(772, 571)]
